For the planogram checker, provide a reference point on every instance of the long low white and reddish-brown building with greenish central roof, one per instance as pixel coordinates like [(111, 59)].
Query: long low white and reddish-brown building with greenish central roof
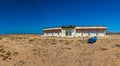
[(71, 31)]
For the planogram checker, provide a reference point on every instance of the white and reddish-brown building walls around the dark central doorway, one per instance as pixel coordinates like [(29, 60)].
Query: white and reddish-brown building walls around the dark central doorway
[(79, 32)]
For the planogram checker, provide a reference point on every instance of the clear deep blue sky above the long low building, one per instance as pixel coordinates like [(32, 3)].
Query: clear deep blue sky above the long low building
[(31, 16)]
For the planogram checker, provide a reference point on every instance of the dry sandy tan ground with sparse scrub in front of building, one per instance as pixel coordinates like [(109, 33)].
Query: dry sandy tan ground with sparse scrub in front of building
[(37, 50)]
